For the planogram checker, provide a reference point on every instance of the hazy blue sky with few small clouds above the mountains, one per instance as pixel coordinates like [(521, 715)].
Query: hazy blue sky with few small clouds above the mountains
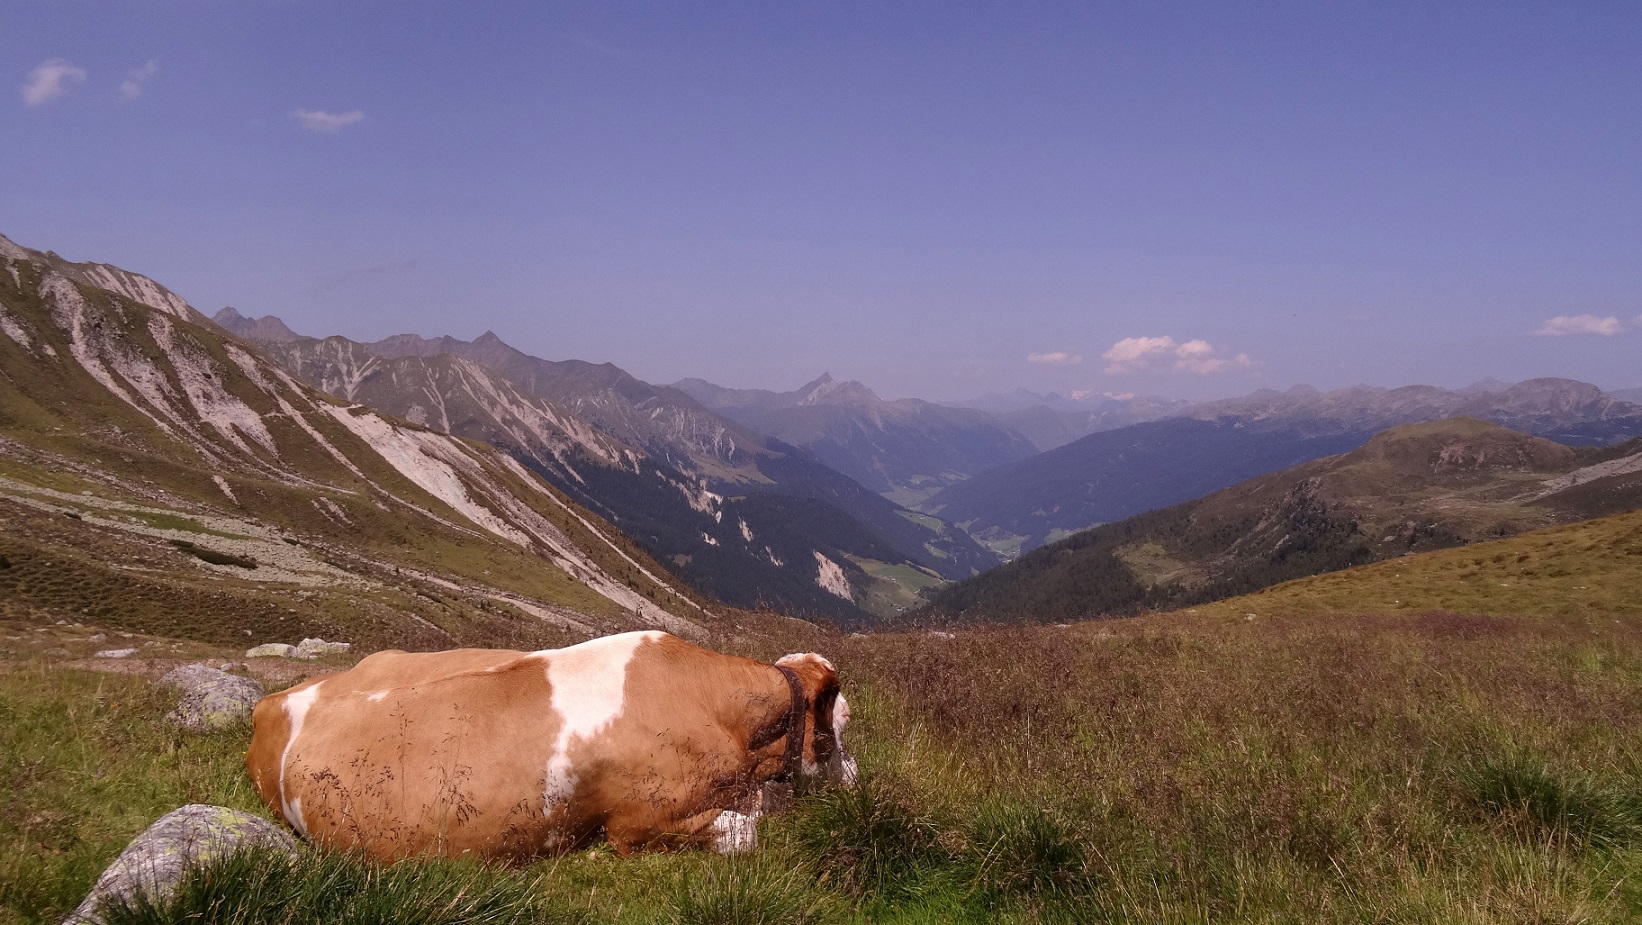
[(940, 200)]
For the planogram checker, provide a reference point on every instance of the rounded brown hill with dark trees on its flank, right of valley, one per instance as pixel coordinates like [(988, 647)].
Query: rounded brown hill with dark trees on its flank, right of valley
[(1408, 490)]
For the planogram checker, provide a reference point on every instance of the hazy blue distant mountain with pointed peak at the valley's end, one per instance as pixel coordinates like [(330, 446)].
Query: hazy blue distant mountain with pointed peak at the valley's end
[(904, 449)]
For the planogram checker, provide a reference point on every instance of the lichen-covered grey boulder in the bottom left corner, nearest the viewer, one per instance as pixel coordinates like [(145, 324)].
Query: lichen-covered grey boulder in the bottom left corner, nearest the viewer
[(157, 860)]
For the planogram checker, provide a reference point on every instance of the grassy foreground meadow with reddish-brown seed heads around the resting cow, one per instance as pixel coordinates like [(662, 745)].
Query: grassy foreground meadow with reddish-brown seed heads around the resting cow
[(1377, 765)]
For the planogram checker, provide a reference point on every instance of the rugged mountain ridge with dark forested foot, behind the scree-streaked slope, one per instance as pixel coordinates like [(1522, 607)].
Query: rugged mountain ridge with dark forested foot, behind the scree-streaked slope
[(743, 518)]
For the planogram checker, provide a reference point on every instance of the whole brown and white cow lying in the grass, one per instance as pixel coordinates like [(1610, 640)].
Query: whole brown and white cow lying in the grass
[(495, 753)]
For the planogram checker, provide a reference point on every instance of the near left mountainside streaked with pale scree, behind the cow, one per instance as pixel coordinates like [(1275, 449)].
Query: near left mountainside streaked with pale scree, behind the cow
[(157, 472)]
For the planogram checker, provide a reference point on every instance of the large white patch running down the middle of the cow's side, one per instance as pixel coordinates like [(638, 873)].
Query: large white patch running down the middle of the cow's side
[(587, 696)]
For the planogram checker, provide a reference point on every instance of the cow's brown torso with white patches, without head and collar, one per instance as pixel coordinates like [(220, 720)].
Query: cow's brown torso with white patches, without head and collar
[(484, 752)]
